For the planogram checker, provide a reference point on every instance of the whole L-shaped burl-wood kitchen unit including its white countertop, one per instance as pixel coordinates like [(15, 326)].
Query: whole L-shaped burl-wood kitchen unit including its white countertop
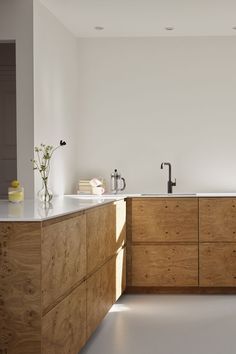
[(64, 266)]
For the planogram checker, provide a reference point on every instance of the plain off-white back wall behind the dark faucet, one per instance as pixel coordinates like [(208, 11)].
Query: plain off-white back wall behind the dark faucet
[(144, 101)]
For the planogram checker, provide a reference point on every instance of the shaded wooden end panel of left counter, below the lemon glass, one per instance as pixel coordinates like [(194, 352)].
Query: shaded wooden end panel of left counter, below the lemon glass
[(20, 307)]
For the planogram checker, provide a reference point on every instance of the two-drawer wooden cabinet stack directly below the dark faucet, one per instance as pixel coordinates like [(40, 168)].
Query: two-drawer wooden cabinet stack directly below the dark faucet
[(163, 242)]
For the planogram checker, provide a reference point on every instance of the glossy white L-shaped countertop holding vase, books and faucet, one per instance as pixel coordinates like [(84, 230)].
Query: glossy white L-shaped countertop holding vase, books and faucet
[(33, 210)]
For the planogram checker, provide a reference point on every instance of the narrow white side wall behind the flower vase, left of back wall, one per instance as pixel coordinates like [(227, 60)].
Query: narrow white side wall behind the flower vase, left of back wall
[(55, 97)]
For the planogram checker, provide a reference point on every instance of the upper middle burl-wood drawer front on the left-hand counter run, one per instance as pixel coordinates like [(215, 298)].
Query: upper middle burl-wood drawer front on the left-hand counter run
[(101, 235)]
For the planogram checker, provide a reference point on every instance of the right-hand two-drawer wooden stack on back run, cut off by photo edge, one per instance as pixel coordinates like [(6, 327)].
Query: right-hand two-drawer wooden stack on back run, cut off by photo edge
[(217, 236)]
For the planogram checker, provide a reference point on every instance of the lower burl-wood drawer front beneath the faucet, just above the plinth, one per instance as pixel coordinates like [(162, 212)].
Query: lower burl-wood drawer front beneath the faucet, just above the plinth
[(165, 265)]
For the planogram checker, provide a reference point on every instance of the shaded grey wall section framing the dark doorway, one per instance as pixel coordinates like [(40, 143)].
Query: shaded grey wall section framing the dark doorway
[(16, 23)]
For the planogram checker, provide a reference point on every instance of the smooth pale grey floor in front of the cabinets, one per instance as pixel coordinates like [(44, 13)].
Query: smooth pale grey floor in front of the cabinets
[(167, 324)]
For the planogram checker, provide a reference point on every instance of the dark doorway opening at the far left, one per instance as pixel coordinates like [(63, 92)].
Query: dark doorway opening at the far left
[(8, 156)]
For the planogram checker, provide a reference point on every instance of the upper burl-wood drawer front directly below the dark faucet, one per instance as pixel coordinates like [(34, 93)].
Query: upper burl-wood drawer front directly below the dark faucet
[(165, 220)]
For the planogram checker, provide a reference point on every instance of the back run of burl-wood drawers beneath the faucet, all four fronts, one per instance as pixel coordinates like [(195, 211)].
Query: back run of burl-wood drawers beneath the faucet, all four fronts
[(180, 242)]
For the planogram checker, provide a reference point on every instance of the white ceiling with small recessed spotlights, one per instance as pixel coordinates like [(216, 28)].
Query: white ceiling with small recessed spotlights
[(146, 18)]
